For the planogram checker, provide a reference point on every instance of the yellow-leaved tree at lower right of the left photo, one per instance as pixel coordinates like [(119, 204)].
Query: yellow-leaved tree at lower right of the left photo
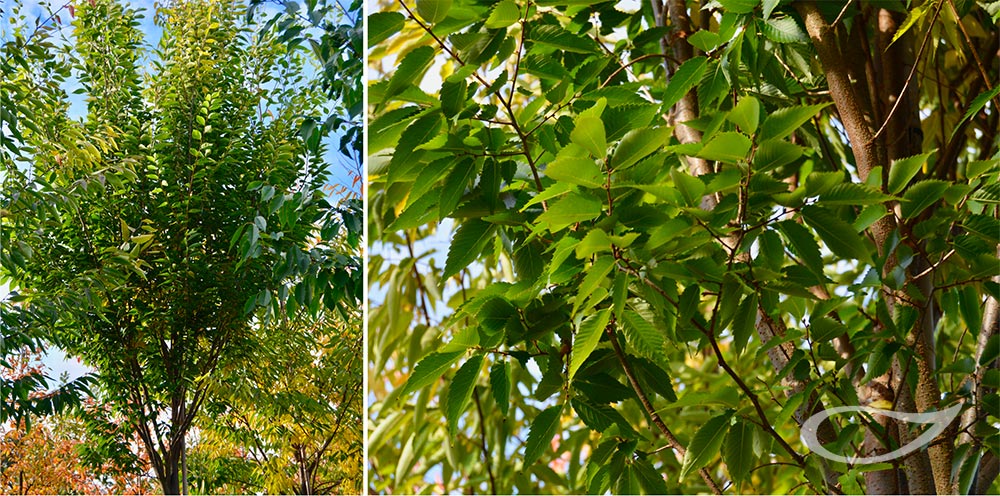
[(294, 411)]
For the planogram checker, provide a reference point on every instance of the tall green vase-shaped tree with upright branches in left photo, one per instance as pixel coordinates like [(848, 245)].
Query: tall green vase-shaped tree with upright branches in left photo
[(149, 238)]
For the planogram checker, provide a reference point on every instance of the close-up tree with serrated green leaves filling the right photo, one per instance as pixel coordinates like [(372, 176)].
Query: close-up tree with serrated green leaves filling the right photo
[(673, 235)]
